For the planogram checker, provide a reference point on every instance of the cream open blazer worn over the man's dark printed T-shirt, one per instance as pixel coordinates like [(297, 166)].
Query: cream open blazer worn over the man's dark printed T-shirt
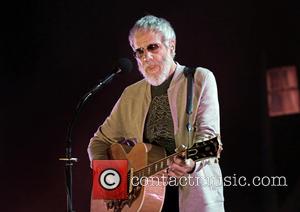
[(127, 120)]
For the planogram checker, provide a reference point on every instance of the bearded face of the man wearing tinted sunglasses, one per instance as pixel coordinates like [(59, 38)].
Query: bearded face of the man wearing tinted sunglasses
[(154, 59)]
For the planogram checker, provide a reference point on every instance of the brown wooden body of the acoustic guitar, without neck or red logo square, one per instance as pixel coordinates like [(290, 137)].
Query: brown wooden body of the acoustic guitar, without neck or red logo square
[(150, 198)]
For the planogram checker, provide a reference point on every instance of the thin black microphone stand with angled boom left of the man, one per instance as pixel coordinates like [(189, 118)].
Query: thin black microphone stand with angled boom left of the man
[(69, 160)]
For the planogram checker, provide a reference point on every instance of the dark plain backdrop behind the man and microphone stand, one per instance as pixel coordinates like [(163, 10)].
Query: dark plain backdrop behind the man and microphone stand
[(55, 51)]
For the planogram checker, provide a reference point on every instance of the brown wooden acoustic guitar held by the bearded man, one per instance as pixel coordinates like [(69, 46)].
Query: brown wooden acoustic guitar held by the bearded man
[(147, 160)]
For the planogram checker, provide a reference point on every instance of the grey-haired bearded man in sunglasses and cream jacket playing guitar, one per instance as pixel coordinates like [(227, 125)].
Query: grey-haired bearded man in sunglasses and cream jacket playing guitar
[(153, 110)]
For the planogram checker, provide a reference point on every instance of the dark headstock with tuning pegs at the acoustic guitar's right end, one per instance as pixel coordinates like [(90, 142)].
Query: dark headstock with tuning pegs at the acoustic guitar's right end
[(204, 149)]
